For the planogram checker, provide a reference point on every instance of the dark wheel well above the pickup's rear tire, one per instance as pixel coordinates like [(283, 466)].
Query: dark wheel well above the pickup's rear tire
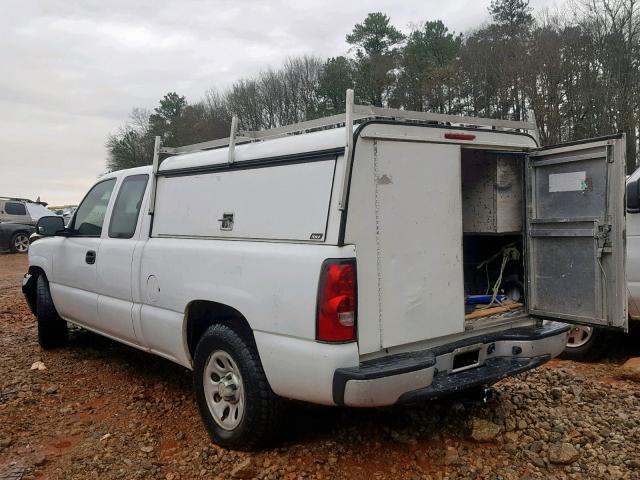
[(201, 314)]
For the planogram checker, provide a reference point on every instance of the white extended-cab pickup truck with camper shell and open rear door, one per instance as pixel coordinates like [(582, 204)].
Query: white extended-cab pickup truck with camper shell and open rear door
[(336, 261)]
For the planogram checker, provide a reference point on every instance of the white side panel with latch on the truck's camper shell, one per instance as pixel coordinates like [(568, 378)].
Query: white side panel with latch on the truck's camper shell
[(288, 202)]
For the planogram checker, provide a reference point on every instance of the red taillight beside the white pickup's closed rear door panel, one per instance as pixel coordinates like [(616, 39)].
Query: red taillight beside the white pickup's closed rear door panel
[(336, 316)]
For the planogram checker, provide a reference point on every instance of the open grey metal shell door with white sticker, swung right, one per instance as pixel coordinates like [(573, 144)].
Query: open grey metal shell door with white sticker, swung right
[(576, 232)]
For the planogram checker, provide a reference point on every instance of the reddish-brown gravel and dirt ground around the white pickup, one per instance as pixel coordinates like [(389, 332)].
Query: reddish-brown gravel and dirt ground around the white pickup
[(102, 410)]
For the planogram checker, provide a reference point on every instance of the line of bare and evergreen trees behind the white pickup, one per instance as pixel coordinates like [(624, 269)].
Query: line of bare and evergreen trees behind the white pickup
[(578, 72)]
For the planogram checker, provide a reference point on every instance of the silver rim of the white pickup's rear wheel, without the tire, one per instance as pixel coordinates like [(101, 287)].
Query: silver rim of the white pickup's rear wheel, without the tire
[(224, 390)]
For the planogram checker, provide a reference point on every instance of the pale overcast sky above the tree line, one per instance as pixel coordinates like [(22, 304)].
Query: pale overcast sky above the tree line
[(71, 71)]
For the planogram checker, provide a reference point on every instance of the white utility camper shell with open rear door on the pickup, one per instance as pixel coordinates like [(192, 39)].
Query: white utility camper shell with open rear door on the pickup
[(413, 199)]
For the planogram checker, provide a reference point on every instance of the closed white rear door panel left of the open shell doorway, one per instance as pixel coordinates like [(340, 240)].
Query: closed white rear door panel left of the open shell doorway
[(419, 241)]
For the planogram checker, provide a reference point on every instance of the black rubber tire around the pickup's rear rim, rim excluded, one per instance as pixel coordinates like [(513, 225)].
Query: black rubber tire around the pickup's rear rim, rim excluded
[(260, 419)]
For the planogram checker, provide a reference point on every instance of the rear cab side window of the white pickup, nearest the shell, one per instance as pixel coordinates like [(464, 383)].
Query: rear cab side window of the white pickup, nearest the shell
[(127, 207)]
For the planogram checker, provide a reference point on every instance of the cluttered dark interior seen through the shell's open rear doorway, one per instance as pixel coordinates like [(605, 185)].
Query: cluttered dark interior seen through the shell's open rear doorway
[(493, 242)]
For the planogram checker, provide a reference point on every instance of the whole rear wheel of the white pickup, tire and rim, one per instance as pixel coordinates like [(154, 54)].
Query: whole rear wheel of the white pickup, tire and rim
[(237, 405)]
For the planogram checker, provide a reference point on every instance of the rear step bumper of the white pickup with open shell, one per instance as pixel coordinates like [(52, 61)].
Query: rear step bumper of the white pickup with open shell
[(414, 376)]
